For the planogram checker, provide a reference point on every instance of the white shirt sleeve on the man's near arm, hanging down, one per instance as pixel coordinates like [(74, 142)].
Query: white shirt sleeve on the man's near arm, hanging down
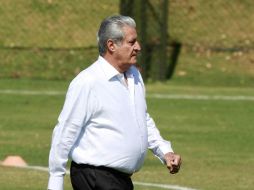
[(75, 113)]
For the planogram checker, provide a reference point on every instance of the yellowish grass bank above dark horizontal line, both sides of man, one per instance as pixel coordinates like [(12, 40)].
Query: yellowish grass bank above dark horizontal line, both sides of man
[(52, 23)]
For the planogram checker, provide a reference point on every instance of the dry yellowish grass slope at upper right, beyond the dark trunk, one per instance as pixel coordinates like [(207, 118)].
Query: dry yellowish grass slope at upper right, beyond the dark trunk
[(213, 23)]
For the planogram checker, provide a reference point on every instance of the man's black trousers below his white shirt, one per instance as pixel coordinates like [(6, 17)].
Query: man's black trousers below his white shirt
[(87, 177)]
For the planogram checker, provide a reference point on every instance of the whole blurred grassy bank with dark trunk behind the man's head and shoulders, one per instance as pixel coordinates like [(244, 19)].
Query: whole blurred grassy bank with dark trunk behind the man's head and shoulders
[(186, 41)]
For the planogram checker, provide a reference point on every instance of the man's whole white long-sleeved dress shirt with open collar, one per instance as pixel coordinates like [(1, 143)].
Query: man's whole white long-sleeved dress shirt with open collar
[(104, 122)]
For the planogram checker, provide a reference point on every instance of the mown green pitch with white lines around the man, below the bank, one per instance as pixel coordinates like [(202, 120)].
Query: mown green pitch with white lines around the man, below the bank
[(214, 136)]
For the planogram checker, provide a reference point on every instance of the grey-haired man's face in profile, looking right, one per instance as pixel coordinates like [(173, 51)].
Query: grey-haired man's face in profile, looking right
[(126, 52)]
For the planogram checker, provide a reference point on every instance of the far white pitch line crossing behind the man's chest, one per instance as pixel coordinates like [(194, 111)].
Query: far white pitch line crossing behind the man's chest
[(158, 96)]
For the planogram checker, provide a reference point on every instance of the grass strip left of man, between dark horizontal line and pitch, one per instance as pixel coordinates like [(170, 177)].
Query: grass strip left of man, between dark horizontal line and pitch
[(37, 64)]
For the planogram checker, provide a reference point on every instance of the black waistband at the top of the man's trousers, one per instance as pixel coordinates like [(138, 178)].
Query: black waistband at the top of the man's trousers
[(102, 168)]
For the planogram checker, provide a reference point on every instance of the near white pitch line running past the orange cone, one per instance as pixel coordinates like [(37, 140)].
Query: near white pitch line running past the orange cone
[(162, 186)]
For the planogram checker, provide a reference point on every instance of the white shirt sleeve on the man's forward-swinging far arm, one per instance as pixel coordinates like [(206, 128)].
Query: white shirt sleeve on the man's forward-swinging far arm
[(156, 143)]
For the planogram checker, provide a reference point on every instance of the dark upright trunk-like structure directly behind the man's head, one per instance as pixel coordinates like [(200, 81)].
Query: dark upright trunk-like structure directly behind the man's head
[(152, 28)]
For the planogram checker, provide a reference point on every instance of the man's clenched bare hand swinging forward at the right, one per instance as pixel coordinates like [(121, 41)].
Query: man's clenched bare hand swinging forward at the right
[(173, 162)]
